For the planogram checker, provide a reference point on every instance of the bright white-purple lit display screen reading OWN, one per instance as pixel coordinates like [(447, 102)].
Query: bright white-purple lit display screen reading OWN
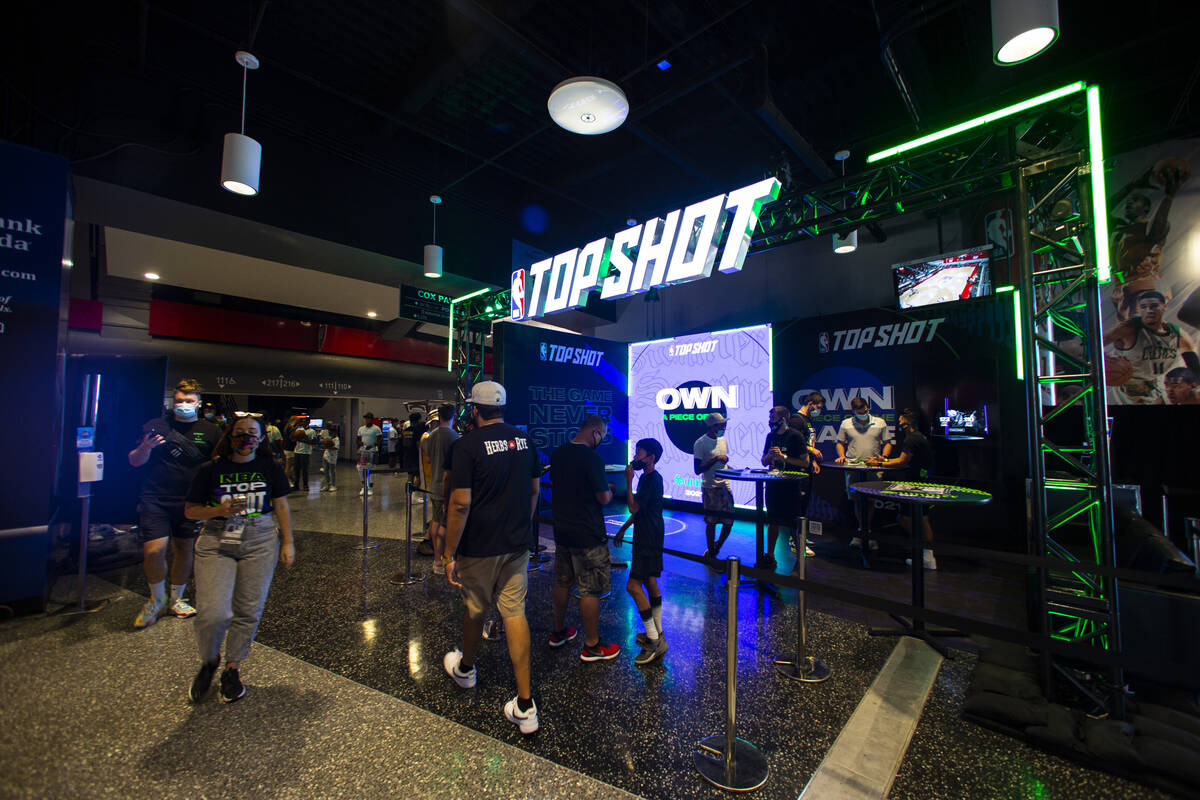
[(674, 384)]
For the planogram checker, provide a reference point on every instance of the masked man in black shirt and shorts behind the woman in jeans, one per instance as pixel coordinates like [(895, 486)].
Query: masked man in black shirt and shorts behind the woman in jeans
[(173, 448)]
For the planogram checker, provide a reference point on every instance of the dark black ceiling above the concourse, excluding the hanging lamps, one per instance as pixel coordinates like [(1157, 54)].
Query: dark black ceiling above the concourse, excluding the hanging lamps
[(367, 107)]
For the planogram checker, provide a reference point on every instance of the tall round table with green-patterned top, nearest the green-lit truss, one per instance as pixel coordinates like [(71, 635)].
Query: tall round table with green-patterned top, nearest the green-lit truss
[(916, 496)]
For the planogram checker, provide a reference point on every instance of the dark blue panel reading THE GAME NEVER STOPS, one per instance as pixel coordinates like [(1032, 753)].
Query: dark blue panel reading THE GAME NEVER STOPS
[(555, 380)]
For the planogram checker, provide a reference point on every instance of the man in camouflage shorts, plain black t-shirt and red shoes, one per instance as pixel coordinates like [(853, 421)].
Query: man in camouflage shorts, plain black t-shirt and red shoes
[(581, 543)]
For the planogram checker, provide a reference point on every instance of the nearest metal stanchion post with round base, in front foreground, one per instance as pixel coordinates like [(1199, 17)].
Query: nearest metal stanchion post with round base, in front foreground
[(727, 761)]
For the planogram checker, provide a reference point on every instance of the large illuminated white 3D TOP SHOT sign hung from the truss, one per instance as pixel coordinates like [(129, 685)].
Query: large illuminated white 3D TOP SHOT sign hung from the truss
[(683, 246)]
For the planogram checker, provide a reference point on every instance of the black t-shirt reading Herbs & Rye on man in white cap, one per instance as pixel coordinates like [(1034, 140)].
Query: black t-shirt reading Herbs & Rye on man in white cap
[(496, 462)]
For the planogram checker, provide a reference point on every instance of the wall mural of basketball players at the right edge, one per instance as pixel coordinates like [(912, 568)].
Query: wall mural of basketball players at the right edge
[(1151, 311)]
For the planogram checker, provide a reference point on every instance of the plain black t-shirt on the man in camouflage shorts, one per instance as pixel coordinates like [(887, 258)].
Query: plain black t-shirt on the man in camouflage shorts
[(577, 473)]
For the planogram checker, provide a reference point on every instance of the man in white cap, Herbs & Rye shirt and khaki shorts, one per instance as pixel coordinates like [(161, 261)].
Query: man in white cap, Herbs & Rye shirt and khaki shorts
[(494, 494)]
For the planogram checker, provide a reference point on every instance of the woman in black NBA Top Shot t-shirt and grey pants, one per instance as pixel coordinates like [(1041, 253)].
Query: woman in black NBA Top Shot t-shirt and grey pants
[(242, 498)]
